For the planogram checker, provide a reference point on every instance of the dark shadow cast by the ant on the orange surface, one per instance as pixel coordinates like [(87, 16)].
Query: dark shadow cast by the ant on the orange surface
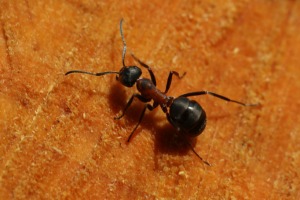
[(167, 140)]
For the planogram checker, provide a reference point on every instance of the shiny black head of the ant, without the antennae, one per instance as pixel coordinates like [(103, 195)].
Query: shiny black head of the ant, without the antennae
[(129, 75)]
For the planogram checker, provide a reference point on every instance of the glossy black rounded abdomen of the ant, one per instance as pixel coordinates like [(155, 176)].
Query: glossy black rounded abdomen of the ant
[(187, 116)]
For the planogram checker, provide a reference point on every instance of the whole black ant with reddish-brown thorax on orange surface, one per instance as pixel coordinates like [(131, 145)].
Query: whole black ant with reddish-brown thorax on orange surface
[(186, 115)]
